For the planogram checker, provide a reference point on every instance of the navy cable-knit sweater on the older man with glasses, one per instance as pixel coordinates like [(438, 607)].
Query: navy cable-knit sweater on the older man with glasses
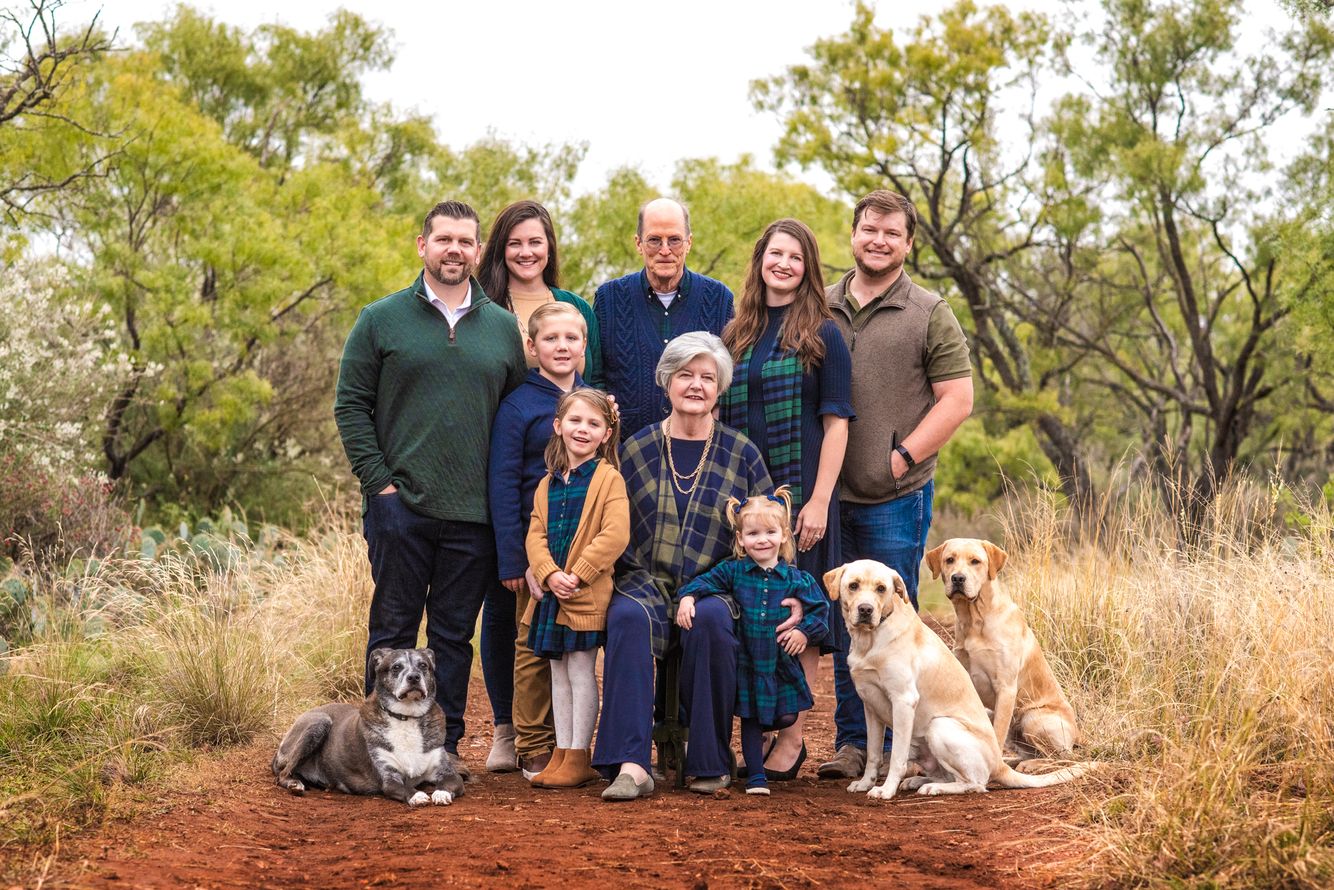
[(634, 330)]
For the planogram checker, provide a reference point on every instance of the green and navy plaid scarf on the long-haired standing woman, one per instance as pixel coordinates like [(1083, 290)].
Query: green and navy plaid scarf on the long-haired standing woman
[(781, 392)]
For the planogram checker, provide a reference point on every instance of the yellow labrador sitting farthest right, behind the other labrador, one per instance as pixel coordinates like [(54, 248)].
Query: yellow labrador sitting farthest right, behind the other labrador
[(1000, 652)]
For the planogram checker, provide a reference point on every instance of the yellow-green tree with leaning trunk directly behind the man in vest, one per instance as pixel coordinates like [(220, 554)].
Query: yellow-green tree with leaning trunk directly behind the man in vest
[(922, 115)]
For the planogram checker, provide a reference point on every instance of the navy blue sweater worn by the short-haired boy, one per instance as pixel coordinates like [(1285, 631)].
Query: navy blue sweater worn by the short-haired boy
[(520, 438)]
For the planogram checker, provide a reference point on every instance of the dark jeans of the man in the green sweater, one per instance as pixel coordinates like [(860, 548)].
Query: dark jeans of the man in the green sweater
[(442, 568)]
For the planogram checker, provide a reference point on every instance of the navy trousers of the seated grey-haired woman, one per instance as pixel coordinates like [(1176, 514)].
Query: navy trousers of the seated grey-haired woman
[(708, 689)]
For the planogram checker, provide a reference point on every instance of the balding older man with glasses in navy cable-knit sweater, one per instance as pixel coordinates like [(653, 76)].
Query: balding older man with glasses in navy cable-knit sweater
[(640, 313)]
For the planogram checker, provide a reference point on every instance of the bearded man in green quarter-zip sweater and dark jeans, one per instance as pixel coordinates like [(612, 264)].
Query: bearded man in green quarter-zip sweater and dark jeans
[(422, 376)]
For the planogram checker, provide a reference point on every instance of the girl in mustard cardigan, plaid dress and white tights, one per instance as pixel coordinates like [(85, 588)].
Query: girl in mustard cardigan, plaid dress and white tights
[(581, 526)]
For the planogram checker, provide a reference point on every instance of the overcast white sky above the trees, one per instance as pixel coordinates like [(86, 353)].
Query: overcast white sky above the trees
[(644, 83)]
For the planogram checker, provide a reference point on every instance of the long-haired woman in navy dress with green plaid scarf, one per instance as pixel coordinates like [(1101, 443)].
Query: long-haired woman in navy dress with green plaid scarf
[(792, 397)]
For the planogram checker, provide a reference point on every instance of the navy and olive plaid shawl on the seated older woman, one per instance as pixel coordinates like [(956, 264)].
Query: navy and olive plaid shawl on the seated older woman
[(668, 550)]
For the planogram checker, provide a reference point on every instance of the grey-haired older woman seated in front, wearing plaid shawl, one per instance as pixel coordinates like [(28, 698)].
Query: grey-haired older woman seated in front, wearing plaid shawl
[(680, 476)]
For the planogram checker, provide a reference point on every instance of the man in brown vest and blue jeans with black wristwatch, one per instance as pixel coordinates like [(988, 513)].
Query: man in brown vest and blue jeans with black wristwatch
[(912, 389)]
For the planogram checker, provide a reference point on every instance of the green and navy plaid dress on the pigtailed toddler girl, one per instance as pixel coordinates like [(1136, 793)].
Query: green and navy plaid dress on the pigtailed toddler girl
[(770, 684)]
